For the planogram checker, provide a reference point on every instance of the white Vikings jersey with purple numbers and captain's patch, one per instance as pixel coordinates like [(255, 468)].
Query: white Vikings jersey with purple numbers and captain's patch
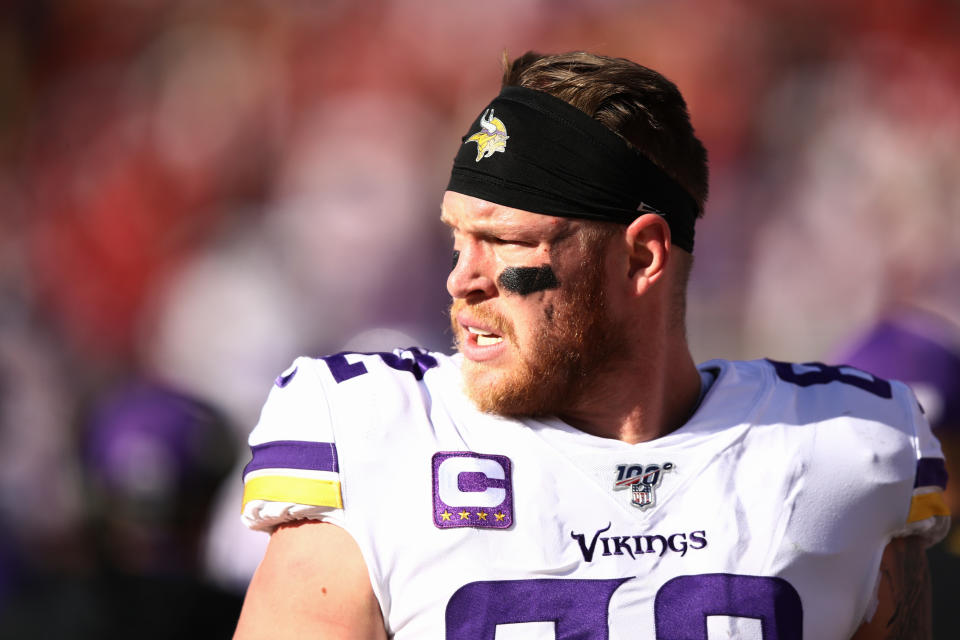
[(764, 516)]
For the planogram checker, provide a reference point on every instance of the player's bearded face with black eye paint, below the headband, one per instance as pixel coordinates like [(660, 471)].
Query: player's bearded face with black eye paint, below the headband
[(529, 312)]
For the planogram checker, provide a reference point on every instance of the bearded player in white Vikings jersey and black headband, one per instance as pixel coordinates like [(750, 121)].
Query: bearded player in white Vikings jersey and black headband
[(571, 472)]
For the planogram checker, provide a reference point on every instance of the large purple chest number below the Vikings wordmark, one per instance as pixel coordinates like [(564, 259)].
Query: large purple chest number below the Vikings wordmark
[(579, 608)]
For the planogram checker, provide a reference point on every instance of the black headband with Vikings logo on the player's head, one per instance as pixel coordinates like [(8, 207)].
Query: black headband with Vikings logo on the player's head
[(528, 150)]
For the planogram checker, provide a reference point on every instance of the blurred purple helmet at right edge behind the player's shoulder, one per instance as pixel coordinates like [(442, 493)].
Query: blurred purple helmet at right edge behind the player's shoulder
[(920, 348)]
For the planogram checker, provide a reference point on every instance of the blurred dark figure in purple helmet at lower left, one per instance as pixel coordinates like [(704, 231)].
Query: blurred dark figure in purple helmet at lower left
[(152, 458)]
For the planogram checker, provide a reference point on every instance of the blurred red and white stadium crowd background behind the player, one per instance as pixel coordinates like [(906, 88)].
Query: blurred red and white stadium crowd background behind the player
[(194, 193)]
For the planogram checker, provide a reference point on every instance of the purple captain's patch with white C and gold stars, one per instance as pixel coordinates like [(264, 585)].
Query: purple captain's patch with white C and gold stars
[(472, 490)]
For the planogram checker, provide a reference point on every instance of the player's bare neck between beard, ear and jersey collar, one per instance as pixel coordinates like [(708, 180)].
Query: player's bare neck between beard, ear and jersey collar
[(641, 399)]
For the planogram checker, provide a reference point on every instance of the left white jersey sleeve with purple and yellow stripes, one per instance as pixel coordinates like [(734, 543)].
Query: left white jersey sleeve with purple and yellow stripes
[(294, 472)]
